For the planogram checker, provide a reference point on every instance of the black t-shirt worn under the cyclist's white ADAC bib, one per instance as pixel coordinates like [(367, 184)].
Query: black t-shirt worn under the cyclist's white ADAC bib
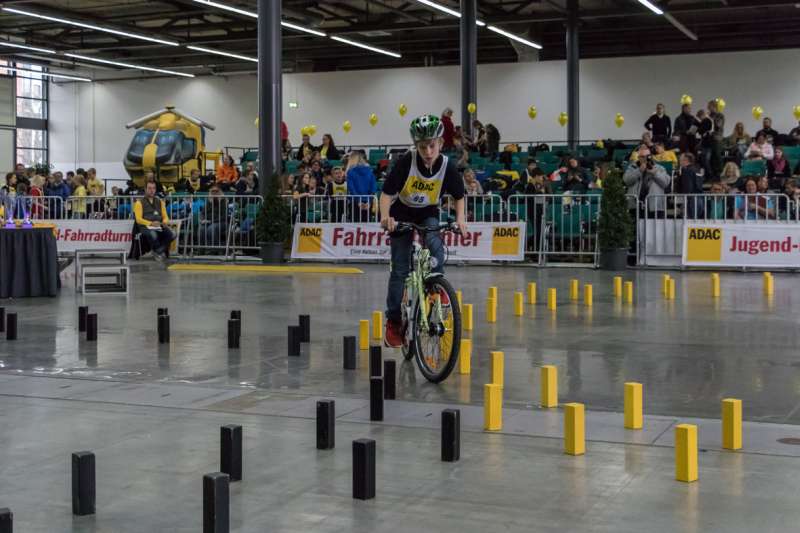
[(452, 185)]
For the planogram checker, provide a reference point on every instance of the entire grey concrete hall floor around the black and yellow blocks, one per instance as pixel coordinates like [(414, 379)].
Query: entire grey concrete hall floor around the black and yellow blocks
[(152, 415)]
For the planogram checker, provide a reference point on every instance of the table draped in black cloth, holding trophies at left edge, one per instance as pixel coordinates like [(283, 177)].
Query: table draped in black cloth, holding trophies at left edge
[(28, 263)]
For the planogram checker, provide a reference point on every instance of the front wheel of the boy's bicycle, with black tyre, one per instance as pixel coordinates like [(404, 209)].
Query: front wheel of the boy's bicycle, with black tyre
[(436, 345)]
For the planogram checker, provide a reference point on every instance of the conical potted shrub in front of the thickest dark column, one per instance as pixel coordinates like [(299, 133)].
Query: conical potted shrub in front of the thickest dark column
[(273, 224)]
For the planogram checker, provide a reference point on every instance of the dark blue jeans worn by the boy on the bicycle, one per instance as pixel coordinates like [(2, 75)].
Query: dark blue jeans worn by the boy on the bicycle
[(401, 264)]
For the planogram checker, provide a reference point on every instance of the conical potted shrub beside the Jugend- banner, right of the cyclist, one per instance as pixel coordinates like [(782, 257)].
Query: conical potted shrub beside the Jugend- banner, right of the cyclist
[(615, 230)]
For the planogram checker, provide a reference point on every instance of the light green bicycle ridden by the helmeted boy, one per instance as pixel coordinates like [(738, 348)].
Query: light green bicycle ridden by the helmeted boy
[(431, 317)]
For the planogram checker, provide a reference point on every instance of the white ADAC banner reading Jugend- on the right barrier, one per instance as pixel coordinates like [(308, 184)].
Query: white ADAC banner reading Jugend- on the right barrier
[(741, 245)]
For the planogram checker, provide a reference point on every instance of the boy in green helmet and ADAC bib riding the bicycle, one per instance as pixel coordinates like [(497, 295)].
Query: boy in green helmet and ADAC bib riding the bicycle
[(411, 193)]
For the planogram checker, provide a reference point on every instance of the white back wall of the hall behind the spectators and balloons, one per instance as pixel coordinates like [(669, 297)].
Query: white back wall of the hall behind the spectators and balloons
[(87, 120)]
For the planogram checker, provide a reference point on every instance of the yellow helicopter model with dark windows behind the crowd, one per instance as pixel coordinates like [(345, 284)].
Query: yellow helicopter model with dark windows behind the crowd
[(169, 142)]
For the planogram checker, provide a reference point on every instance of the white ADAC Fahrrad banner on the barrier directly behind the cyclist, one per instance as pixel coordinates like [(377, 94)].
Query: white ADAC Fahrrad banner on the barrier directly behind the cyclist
[(484, 241)]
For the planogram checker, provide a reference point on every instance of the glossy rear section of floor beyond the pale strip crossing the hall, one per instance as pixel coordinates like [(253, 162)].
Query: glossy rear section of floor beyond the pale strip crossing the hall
[(689, 353)]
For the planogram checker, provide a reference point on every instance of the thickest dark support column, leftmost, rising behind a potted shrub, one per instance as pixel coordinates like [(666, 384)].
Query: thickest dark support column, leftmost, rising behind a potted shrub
[(269, 91)]
